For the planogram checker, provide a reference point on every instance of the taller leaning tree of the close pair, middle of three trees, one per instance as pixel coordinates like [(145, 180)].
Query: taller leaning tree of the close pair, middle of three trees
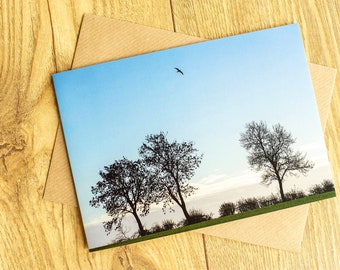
[(173, 164)]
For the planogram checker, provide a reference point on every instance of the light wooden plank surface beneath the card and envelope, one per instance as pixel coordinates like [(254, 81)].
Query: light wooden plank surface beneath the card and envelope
[(38, 38)]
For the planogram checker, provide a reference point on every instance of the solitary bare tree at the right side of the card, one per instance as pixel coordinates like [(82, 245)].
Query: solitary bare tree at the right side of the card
[(271, 151)]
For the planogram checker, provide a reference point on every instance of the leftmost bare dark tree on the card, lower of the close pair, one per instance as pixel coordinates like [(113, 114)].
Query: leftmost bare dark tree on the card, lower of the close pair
[(125, 189)]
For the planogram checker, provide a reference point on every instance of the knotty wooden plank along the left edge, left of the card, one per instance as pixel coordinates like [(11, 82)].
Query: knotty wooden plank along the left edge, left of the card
[(28, 121)]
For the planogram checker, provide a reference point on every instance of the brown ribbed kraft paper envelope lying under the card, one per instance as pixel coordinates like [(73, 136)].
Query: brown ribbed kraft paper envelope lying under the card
[(101, 40)]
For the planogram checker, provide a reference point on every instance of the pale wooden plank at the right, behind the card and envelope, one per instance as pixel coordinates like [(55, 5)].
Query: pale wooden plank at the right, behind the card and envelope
[(319, 26)]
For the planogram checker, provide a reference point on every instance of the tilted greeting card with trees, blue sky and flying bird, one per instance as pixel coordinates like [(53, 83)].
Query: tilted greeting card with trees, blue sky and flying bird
[(194, 136)]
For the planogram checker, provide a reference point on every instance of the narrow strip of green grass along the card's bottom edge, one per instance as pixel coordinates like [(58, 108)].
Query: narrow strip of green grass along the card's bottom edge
[(215, 221)]
